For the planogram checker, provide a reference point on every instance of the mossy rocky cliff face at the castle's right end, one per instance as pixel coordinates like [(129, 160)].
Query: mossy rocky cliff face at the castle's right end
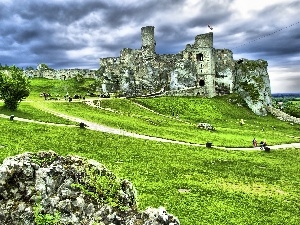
[(253, 84)]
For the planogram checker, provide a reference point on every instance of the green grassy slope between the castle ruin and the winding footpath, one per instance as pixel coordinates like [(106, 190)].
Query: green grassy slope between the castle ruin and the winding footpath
[(219, 112)]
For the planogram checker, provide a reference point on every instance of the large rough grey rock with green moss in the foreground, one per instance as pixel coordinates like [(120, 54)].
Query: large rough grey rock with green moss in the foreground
[(45, 188)]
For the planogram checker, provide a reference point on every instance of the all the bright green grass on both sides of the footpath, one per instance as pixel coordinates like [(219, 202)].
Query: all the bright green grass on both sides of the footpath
[(198, 185)]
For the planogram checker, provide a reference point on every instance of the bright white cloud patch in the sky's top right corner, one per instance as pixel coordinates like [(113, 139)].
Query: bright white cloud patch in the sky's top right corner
[(269, 22)]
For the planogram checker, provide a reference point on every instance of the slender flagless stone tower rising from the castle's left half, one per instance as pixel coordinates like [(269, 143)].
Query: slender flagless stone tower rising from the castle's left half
[(148, 41)]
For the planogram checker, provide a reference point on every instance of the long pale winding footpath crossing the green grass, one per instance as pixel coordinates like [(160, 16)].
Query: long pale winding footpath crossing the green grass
[(116, 131)]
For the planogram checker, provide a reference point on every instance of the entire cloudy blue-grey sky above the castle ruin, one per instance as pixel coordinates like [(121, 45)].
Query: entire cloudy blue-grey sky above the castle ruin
[(76, 33)]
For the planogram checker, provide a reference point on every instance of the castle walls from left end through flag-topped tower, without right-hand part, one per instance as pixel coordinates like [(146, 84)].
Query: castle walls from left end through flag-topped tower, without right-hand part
[(145, 72)]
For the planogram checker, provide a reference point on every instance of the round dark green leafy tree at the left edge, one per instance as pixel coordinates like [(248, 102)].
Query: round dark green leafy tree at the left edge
[(14, 87)]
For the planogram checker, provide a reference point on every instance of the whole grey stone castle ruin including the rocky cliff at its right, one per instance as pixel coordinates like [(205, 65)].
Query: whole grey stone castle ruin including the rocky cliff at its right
[(198, 70)]
